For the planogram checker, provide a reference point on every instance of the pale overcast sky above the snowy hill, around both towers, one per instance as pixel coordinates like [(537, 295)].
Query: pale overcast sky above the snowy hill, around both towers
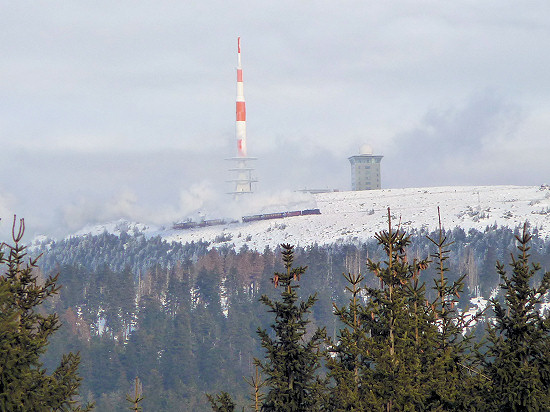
[(125, 109)]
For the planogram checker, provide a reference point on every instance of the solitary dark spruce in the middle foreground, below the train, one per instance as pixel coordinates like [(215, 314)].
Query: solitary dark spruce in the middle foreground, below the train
[(292, 363)]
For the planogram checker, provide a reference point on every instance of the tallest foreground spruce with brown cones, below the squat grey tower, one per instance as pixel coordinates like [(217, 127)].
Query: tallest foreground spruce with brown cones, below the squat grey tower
[(400, 328)]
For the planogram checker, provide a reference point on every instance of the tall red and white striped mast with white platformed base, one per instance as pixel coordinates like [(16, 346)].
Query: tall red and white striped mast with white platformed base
[(243, 172)]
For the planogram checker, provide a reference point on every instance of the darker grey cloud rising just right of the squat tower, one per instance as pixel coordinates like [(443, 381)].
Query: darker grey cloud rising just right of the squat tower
[(452, 145)]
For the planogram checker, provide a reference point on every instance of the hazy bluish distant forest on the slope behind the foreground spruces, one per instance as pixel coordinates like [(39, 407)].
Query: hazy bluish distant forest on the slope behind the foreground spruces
[(184, 318)]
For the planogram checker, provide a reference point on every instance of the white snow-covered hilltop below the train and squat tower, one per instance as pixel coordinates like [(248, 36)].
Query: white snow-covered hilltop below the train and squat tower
[(355, 216)]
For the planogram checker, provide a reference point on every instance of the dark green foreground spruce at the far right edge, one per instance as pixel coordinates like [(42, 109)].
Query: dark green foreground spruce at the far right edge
[(517, 359)]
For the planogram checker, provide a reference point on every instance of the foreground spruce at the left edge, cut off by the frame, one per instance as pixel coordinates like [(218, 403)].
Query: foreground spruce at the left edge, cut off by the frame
[(24, 334)]
